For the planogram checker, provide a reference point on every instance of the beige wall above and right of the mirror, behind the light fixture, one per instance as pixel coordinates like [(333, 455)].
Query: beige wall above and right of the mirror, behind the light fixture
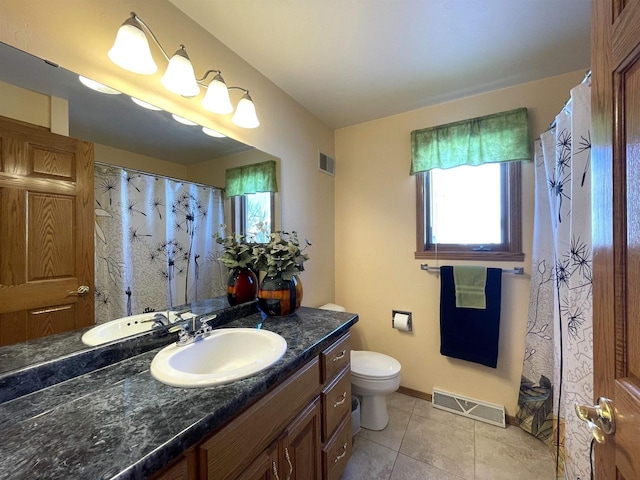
[(77, 34)]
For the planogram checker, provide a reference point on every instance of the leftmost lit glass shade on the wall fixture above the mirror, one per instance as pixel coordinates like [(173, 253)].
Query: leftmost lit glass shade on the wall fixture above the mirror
[(131, 49)]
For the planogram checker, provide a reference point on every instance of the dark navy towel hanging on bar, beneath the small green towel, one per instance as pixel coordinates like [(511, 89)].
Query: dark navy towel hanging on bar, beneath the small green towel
[(468, 333)]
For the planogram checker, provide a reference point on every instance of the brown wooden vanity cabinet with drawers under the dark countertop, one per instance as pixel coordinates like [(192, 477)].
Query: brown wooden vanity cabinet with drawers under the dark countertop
[(301, 430)]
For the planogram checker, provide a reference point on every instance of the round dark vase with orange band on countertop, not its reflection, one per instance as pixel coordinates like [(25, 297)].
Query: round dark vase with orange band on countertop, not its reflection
[(278, 297)]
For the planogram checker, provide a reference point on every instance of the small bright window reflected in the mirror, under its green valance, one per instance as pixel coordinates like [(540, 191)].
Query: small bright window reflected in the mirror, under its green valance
[(252, 214)]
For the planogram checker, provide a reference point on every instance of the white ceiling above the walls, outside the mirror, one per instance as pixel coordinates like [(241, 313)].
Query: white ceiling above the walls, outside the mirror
[(350, 61)]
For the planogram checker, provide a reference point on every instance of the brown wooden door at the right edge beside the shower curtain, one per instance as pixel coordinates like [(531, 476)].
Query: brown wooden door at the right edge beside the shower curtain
[(615, 62)]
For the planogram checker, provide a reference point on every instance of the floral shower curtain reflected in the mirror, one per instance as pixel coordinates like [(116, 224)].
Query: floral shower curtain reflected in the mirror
[(154, 243)]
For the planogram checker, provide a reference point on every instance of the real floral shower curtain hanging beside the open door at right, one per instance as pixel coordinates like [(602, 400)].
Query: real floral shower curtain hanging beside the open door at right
[(558, 361)]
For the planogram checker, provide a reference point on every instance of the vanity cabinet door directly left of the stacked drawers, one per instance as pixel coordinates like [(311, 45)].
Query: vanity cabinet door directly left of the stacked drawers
[(301, 453)]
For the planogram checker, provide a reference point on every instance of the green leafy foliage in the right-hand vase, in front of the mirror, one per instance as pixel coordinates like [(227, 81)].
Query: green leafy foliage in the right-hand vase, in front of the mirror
[(282, 255)]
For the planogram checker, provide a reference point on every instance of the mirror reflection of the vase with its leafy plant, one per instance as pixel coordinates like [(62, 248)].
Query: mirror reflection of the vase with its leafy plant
[(242, 282)]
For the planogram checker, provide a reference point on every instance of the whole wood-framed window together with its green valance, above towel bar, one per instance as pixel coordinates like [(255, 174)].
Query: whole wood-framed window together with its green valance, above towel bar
[(468, 187)]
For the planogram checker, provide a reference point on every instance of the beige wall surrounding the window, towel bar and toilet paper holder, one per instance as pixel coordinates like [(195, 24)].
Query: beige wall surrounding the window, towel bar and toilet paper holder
[(375, 244)]
